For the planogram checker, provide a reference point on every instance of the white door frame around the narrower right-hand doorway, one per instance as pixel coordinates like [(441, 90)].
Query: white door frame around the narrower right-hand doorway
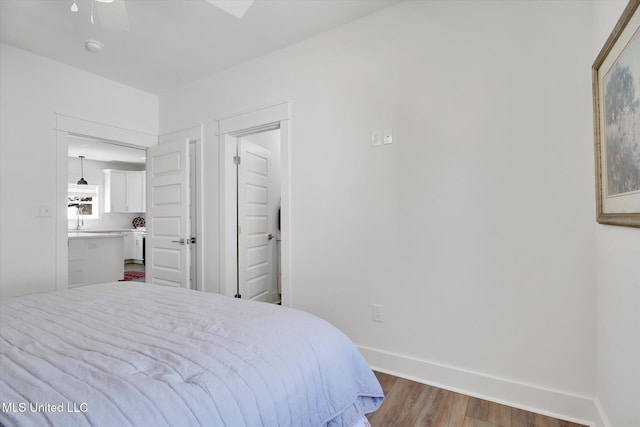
[(229, 128)]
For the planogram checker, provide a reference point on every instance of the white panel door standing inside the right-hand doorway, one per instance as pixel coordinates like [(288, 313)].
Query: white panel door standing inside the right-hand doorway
[(255, 243)]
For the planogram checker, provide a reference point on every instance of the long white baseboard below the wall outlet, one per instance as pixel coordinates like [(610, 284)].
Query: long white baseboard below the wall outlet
[(557, 404)]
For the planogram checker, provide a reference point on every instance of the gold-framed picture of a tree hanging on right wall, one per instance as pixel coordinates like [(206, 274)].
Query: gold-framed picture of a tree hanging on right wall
[(616, 100)]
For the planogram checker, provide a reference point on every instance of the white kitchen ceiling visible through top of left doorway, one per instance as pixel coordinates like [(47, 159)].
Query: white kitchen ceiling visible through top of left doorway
[(105, 152)]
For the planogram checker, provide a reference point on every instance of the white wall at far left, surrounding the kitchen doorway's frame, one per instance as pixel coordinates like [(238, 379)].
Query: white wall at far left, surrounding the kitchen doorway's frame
[(32, 89)]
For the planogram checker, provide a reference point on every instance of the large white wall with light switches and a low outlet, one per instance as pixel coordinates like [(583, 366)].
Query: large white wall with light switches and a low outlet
[(475, 228)]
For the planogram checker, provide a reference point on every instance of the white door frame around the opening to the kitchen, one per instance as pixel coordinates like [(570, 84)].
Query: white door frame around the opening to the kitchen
[(65, 125)]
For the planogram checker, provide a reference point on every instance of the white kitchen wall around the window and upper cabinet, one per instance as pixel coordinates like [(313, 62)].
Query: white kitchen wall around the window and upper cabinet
[(94, 175)]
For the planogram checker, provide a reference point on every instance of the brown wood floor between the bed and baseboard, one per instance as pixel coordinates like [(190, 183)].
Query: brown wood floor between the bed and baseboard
[(411, 404)]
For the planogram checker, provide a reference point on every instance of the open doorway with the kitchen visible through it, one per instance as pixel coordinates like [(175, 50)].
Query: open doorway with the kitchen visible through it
[(106, 211)]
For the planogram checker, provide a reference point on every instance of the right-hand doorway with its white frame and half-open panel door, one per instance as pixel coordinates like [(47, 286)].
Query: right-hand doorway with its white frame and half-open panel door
[(254, 214)]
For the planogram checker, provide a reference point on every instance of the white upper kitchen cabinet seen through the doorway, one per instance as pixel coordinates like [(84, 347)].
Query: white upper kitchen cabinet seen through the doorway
[(124, 191)]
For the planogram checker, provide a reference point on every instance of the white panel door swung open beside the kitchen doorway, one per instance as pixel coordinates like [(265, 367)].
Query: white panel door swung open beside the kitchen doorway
[(167, 218)]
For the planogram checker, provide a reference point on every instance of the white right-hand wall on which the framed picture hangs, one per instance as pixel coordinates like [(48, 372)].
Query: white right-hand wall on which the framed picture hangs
[(618, 292)]
